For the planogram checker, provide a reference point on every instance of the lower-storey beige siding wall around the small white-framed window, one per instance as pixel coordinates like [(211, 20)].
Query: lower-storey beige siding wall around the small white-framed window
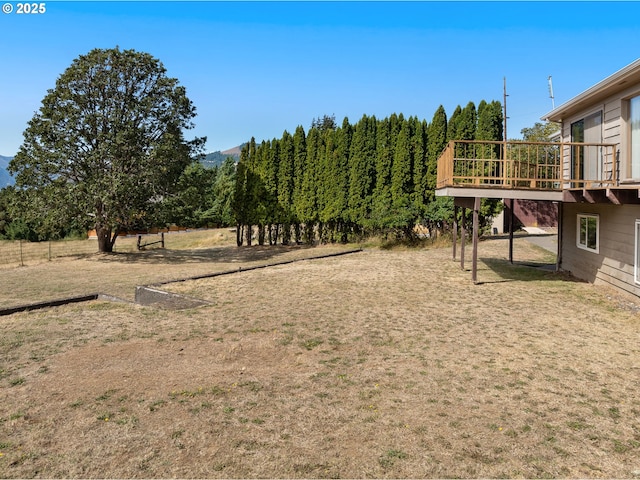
[(614, 264)]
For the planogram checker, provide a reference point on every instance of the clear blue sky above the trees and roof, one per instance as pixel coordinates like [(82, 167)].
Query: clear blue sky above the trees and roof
[(259, 68)]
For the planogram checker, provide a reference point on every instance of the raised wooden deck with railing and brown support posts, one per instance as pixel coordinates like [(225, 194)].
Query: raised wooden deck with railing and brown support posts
[(576, 172)]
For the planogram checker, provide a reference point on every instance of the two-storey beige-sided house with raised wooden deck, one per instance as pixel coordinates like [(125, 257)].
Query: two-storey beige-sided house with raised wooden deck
[(592, 172)]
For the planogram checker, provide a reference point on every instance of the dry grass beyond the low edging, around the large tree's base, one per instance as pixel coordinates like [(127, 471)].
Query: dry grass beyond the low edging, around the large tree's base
[(118, 274)]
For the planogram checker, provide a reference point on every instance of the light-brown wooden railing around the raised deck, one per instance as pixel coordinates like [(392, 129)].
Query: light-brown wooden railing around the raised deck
[(528, 165)]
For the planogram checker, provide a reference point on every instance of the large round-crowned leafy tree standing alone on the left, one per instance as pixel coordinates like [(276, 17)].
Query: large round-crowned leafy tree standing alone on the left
[(107, 143)]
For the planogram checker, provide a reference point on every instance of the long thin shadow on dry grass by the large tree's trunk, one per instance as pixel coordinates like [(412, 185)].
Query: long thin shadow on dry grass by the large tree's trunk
[(227, 254)]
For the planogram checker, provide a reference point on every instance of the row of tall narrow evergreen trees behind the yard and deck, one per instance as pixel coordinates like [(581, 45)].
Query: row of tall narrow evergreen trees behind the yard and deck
[(333, 182)]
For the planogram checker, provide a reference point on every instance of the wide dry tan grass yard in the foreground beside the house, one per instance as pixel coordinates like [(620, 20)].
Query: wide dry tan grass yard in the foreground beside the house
[(379, 364)]
